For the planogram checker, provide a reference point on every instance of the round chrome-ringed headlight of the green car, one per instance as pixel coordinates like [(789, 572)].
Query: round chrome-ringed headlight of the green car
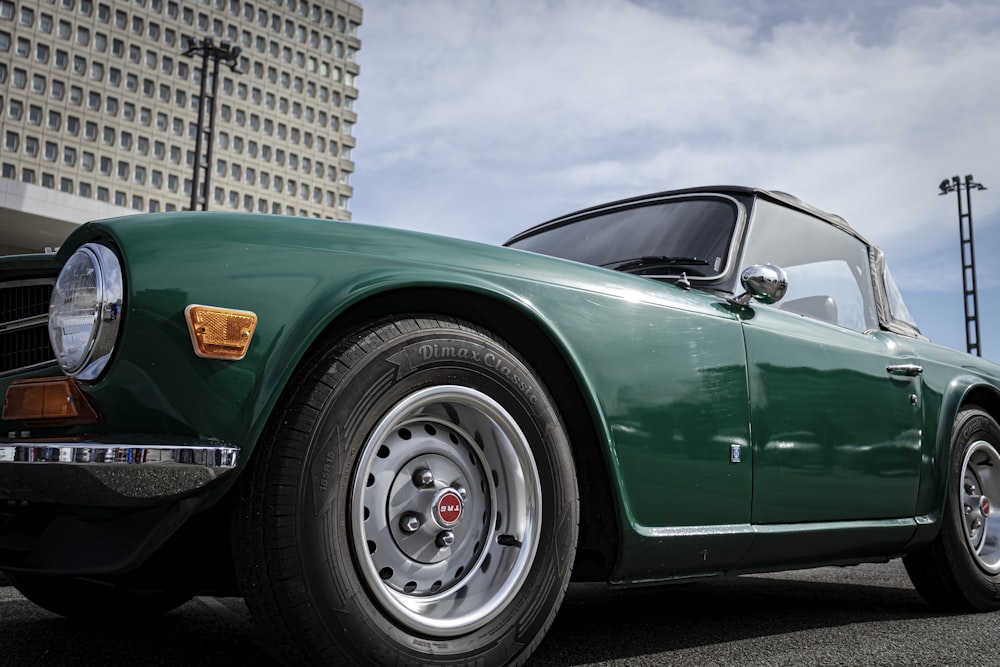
[(84, 311)]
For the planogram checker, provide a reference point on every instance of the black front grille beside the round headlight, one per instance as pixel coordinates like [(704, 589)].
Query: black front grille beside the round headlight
[(24, 325)]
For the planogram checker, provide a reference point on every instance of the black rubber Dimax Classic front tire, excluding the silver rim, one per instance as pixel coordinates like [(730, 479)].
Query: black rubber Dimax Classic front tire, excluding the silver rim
[(324, 601)]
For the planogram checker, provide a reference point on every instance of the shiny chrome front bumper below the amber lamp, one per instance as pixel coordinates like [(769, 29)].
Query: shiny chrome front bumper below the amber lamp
[(109, 474)]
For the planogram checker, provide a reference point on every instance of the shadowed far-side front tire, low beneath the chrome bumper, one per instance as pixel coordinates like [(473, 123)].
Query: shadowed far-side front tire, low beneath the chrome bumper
[(95, 599)]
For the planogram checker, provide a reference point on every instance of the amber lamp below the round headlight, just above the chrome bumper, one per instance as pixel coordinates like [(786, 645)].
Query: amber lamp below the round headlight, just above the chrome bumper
[(48, 402)]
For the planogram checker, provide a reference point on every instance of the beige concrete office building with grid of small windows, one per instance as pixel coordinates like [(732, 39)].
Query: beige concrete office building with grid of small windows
[(100, 110)]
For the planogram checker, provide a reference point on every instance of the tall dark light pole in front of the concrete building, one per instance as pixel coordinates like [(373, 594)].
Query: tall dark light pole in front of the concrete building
[(225, 53)]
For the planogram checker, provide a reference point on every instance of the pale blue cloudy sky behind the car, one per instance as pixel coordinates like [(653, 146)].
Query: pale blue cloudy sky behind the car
[(479, 118)]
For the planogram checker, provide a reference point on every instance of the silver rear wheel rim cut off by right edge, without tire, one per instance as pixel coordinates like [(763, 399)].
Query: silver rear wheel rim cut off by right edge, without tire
[(980, 490)]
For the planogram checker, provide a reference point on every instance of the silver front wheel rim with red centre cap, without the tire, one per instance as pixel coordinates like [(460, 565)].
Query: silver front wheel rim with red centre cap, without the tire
[(445, 511)]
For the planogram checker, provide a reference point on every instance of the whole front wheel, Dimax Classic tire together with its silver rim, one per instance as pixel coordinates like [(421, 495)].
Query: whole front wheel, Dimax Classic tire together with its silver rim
[(413, 502)]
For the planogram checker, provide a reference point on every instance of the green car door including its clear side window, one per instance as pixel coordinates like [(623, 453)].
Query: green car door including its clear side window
[(835, 403)]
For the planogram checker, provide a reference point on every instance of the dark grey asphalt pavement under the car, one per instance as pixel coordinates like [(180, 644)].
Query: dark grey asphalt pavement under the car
[(864, 615)]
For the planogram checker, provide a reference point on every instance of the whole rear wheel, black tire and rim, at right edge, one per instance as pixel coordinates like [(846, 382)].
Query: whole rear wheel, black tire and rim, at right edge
[(960, 569)]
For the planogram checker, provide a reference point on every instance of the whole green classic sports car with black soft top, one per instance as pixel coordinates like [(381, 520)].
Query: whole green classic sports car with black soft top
[(401, 448)]
